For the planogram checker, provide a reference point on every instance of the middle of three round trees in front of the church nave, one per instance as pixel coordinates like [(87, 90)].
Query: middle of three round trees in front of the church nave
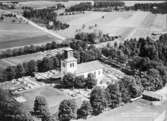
[(80, 82)]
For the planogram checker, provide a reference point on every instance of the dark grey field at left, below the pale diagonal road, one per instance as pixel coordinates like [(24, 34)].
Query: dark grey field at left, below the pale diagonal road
[(15, 35)]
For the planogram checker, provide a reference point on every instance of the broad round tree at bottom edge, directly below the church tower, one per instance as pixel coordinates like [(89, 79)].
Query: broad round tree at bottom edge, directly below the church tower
[(67, 110)]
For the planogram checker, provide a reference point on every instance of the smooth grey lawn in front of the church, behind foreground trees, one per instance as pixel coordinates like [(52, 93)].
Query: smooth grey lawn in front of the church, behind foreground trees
[(52, 95)]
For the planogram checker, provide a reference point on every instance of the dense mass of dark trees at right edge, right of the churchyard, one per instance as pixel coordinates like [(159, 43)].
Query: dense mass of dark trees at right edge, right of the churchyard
[(145, 58)]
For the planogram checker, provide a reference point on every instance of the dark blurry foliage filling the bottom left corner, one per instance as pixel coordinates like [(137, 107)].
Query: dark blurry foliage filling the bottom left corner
[(11, 110)]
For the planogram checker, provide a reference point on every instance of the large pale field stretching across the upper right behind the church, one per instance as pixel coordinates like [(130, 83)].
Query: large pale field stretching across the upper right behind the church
[(126, 24)]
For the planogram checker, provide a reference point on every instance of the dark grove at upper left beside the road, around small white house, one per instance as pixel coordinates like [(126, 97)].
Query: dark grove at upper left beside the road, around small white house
[(45, 16)]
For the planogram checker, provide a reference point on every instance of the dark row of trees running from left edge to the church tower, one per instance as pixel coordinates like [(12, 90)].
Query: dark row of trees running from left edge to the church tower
[(28, 68)]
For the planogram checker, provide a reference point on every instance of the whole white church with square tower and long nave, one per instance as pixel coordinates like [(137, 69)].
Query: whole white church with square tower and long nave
[(69, 65)]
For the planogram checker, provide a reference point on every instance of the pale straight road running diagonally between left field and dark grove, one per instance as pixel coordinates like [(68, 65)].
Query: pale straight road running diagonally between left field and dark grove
[(41, 28)]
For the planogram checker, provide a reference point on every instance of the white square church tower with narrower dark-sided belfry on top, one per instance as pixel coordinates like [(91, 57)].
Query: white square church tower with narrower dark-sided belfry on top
[(69, 64)]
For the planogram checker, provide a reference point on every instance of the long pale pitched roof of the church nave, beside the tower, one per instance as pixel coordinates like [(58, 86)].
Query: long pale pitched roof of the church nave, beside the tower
[(89, 66)]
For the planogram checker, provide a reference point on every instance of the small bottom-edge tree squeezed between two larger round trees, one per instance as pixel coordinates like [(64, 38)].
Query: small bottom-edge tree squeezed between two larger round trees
[(85, 110)]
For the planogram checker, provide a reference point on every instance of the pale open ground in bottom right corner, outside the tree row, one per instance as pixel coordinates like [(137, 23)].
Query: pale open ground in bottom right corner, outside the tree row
[(140, 110)]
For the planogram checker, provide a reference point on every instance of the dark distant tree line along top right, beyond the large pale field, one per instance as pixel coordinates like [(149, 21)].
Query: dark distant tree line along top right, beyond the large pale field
[(152, 7)]
